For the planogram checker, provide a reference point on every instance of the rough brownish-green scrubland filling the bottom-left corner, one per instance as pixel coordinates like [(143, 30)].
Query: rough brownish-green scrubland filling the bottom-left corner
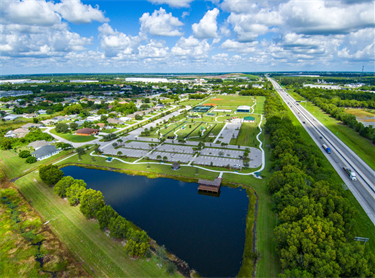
[(20, 229)]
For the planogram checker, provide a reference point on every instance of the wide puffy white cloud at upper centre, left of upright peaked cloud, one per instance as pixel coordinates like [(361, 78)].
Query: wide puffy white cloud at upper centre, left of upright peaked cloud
[(160, 23)]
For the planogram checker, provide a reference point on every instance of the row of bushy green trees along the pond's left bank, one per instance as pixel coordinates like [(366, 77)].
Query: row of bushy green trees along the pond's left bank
[(92, 206)]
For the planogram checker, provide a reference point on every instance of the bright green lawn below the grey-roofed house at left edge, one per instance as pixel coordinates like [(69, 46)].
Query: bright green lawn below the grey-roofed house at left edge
[(14, 166)]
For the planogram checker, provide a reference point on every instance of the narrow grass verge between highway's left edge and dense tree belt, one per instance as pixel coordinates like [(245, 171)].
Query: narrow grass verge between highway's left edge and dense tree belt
[(363, 226)]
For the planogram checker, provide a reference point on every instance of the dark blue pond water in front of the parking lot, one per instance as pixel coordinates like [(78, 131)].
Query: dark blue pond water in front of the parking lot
[(206, 232)]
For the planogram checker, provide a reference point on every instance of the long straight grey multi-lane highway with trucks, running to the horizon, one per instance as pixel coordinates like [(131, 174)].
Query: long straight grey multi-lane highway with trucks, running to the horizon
[(341, 155)]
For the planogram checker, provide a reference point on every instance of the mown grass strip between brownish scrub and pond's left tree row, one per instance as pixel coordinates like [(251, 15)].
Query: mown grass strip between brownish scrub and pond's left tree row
[(99, 254)]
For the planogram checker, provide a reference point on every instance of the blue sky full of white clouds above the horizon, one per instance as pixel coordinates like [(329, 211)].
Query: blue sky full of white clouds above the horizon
[(75, 36)]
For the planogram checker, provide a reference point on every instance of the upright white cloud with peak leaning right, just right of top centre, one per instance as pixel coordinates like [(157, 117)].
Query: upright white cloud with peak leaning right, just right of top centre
[(207, 26)]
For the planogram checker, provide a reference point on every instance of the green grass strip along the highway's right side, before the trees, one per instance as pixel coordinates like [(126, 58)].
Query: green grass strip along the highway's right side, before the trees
[(360, 145)]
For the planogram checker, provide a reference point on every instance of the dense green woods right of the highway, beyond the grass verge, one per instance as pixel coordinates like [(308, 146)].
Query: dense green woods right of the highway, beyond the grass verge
[(331, 101)]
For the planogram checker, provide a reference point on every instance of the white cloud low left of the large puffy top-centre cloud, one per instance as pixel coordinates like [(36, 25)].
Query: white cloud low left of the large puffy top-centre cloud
[(116, 43)]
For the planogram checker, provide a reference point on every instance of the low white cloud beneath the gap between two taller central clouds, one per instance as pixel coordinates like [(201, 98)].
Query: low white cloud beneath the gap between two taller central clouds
[(191, 48)]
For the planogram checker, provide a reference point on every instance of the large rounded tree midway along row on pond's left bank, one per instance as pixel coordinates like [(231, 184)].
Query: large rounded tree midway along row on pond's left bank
[(91, 202)]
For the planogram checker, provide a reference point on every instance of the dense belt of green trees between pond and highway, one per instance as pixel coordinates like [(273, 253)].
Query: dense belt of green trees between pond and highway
[(314, 237)]
